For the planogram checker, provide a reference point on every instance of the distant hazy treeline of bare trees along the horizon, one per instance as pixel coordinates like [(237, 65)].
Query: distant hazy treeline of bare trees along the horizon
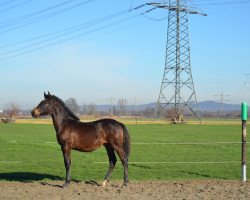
[(121, 108)]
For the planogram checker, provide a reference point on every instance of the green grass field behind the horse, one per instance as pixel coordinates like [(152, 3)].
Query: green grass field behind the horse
[(29, 152)]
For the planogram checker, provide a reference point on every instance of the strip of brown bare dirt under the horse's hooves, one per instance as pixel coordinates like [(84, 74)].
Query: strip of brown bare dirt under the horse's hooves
[(136, 190)]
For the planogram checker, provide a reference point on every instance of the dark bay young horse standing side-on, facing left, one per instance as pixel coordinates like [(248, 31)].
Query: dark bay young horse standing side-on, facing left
[(85, 137)]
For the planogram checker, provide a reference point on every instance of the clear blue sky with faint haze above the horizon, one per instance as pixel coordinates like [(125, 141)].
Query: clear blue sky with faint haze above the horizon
[(95, 50)]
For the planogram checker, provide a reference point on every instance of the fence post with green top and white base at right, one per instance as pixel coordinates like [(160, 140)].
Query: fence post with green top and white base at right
[(244, 140)]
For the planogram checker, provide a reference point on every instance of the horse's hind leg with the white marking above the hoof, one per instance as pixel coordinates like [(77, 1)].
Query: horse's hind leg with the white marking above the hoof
[(112, 162)]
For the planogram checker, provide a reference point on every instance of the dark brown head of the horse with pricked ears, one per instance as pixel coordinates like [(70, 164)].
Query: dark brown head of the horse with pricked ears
[(45, 107)]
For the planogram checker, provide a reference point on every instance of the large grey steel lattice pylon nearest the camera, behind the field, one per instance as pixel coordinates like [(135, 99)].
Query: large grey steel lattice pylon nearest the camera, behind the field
[(177, 87)]
